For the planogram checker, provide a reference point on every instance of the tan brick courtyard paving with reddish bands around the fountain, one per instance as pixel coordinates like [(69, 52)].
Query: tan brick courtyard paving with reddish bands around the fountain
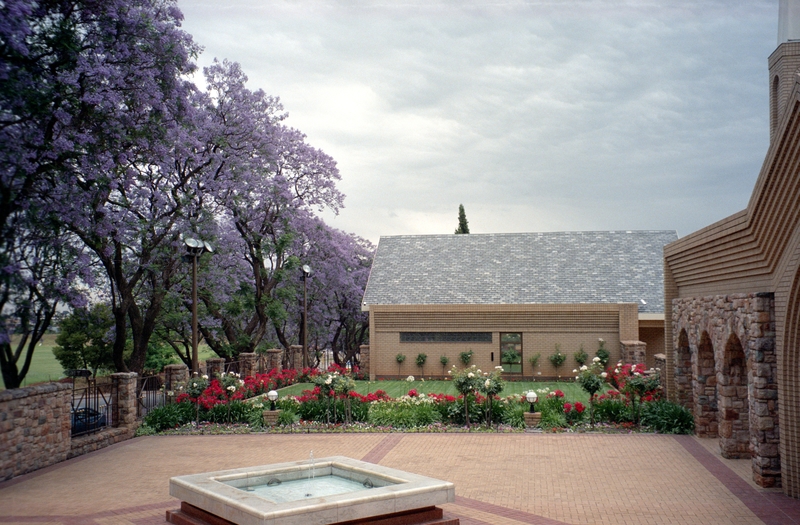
[(505, 479)]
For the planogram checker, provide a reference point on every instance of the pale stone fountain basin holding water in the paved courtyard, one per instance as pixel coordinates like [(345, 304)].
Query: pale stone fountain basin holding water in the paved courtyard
[(242, 496)]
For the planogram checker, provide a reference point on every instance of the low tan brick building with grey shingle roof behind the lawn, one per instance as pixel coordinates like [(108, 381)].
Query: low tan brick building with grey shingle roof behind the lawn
[(501, 295)]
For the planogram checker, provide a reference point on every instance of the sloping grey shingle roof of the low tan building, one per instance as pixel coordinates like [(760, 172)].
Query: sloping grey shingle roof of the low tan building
[(521, 268)]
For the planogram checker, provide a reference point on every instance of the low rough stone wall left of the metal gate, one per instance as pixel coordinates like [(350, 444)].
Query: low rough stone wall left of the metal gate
[(35, 428)]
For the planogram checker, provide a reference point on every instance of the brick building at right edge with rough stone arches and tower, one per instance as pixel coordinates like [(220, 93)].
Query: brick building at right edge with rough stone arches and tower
[(733, 297)]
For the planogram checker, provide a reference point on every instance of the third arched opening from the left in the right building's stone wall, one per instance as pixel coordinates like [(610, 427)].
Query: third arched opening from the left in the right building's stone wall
[(734, 404)]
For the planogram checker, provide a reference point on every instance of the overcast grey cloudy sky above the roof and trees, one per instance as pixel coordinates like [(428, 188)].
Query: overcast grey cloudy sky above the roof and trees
[(539, 115)]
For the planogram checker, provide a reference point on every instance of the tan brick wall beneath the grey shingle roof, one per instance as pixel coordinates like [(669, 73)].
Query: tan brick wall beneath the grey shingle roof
[(568, 325)]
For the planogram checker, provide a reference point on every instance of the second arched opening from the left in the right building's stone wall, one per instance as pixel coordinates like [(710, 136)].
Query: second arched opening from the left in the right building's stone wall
[(705, 389)]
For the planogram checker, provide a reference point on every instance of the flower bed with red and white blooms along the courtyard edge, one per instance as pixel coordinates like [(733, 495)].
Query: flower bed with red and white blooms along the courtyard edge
[(332, 405)]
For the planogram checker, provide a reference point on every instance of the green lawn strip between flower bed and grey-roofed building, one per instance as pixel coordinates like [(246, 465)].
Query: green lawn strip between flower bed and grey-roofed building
[(572, 391)]
